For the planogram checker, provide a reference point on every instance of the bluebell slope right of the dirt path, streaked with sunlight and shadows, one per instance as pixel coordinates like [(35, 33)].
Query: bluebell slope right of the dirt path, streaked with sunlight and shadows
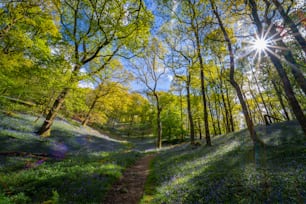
[(227, 172)]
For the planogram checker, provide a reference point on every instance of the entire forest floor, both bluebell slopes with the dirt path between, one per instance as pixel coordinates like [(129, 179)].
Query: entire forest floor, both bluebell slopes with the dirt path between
[(80, 165)]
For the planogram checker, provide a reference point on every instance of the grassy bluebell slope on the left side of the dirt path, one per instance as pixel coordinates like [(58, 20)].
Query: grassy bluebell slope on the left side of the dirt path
[(81, 172)]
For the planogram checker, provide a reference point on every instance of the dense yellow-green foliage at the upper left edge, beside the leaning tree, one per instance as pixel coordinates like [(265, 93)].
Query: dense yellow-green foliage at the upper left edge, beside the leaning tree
[(27, 36)]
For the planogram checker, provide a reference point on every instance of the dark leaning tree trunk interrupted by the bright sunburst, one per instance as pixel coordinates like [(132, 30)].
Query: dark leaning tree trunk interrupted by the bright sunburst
[(296, 108)]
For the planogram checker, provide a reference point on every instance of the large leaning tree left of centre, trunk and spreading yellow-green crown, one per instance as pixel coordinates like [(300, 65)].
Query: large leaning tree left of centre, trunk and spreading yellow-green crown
[(97, 30)]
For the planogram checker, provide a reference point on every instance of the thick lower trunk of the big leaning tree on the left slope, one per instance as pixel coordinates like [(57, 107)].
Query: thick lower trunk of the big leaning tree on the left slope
[(45, 129)]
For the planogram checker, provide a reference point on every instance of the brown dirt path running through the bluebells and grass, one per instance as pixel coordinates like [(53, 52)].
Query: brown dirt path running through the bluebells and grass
[(129, 189)]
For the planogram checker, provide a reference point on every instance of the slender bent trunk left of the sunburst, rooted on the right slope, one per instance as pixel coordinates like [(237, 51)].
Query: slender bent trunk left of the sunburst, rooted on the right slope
[(249, 121)]
